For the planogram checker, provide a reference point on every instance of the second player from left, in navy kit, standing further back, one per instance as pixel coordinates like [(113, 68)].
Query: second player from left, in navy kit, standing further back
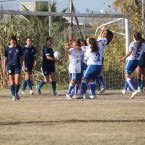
[(29, 54)]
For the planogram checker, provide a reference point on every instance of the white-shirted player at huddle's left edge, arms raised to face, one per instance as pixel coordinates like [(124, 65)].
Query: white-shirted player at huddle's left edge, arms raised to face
[(75, 55)]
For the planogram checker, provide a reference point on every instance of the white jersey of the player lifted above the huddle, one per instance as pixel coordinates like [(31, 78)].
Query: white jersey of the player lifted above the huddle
[(102, 43)]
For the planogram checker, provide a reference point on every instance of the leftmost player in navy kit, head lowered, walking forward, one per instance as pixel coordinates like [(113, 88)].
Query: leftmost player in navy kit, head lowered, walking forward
[(12, 63)]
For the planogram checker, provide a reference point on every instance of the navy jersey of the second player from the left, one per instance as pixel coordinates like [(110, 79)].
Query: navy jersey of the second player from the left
[(29, 53)]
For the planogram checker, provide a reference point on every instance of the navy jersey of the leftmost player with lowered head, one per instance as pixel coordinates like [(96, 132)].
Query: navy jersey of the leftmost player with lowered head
[(13, 55)]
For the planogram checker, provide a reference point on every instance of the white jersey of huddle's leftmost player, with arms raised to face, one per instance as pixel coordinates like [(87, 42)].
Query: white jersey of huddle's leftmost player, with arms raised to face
[(75, 60)]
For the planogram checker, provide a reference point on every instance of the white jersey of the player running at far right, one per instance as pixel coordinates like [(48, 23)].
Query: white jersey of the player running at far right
[(137, 50)]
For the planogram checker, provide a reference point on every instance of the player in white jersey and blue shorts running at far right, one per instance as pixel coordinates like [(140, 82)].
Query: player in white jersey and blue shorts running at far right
[(136, 49)]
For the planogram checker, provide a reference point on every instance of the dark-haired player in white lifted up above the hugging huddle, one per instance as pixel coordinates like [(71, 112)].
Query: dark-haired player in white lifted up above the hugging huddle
[(103, 40)]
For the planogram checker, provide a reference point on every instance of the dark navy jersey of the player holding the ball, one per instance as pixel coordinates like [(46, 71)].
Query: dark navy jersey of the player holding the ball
[(46, 62)]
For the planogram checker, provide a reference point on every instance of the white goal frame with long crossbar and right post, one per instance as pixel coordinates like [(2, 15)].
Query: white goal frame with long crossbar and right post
[(119, 16)]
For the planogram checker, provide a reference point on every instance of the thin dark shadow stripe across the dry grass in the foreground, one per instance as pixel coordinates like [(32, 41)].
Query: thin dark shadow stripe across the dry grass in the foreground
[(71, 121)]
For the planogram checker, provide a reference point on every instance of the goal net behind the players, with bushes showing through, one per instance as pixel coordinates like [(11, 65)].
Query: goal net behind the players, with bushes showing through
[(61, 26)]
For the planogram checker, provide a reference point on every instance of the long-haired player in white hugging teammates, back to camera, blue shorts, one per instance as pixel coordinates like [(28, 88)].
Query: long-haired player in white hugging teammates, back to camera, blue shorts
[(94, 67)]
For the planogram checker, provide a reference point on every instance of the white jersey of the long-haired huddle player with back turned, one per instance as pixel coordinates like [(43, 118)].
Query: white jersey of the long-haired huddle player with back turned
[(94, 58)]
